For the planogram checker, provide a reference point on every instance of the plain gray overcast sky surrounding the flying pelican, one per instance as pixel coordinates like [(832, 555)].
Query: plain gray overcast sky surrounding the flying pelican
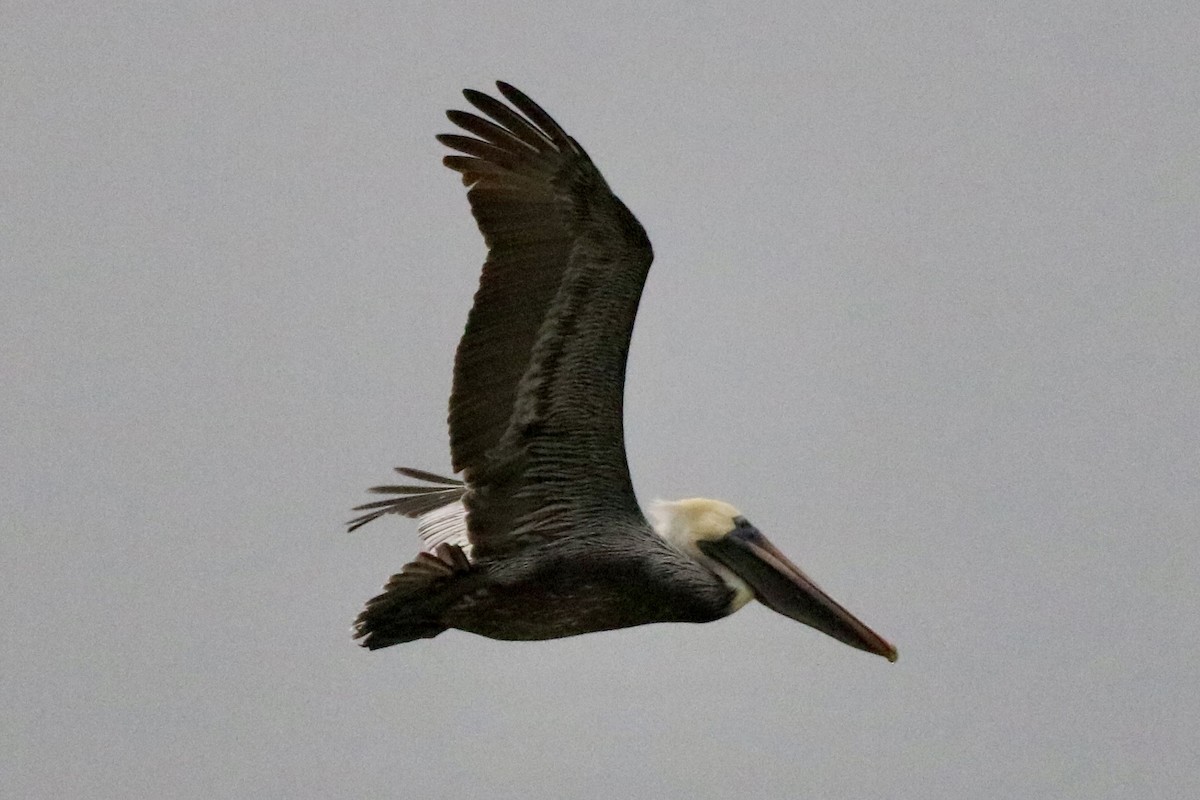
[(925, 308)]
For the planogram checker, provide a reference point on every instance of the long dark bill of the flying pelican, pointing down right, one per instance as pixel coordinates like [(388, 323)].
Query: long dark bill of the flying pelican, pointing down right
[(782, 586)]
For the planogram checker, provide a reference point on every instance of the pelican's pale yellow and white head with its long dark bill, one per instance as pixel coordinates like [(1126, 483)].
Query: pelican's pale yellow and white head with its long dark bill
[(717, 536)]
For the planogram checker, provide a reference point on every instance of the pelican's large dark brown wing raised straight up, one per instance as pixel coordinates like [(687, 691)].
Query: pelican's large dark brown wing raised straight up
[(536, 414)]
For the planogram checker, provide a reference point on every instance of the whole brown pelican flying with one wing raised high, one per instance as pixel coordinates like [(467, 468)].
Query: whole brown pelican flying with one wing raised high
[(544, 538)]
